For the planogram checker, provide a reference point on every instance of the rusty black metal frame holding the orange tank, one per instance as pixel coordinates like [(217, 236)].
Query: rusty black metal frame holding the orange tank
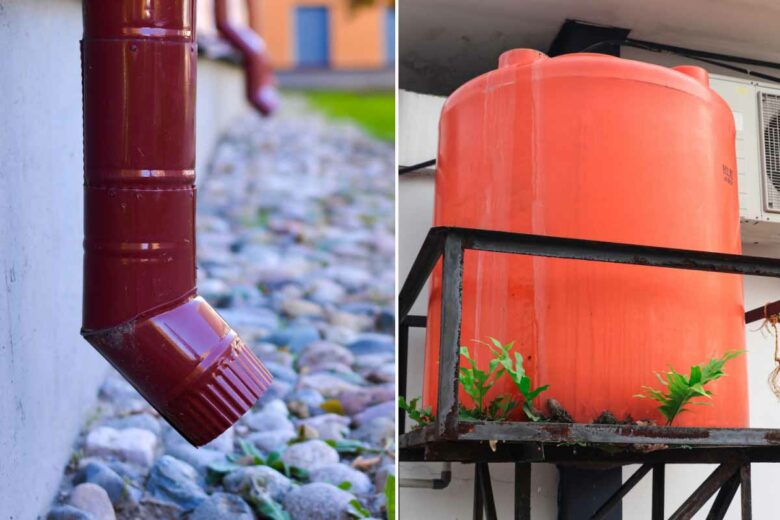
[(449, 439)]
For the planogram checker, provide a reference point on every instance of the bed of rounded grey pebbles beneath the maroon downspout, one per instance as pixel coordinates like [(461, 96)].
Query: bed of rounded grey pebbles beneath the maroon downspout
[(295, 249)]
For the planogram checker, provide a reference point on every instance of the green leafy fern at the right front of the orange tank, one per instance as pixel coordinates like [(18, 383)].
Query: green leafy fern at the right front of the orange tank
[(680, 391)]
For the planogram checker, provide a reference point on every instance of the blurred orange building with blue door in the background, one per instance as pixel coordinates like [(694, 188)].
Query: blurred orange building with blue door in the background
[(333, 34)]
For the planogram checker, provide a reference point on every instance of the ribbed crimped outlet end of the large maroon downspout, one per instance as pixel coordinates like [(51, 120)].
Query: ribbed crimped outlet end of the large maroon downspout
[(210, 405)]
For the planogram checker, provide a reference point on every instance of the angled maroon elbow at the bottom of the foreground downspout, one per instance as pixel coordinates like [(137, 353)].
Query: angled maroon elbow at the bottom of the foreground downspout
[(190, 365)]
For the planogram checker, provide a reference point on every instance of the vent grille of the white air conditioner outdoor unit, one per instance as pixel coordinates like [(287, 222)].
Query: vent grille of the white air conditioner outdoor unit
[(770, 121)]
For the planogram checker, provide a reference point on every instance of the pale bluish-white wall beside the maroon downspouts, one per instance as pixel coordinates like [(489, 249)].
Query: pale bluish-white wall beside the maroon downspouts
[(48, 375)]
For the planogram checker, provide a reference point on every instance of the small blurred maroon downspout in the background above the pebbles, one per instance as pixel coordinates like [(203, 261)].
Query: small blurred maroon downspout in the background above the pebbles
[(260, 88)]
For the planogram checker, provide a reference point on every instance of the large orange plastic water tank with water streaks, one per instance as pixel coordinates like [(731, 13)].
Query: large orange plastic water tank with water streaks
[(594, 147)]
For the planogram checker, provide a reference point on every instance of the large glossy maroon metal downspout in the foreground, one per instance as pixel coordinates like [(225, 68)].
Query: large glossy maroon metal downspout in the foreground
[(141, 311)]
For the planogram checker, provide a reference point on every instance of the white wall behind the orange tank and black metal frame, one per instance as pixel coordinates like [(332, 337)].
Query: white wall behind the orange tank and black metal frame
[(418, 131)]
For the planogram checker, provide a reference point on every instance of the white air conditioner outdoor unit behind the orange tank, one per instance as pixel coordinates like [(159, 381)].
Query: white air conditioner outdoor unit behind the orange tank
[(756, 108)]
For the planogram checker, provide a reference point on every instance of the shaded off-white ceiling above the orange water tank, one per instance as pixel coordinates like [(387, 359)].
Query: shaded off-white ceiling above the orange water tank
[(443, 43)]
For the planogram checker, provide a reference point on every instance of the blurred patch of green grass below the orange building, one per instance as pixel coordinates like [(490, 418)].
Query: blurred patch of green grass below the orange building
[(373, 111)]
